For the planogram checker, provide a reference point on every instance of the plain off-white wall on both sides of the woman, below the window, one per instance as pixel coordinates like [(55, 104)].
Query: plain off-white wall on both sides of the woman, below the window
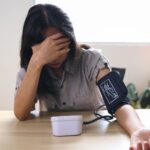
[(134, 57)]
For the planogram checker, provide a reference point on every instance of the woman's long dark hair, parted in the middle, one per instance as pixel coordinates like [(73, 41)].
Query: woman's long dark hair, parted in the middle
[(39, 18)]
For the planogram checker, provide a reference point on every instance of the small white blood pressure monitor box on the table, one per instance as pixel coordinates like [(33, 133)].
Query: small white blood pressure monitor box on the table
[(67, 125)]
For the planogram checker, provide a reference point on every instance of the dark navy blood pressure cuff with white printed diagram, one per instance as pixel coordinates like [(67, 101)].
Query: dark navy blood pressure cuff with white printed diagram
[(114, 91)]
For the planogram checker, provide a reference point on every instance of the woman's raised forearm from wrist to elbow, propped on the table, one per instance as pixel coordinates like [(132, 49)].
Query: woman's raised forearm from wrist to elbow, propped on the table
[(26, 93)]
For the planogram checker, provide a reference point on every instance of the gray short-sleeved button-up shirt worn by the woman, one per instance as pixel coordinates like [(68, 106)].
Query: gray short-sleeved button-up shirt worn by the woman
[(77, 89)]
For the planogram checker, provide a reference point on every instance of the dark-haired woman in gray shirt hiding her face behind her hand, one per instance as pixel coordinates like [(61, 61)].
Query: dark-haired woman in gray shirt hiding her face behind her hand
[(62, 75)]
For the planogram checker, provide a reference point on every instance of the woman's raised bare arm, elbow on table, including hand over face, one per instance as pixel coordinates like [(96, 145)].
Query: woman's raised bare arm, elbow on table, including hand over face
[(46, 52)]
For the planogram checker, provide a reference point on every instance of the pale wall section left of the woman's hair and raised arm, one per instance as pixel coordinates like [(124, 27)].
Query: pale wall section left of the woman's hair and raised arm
[(12, 14)]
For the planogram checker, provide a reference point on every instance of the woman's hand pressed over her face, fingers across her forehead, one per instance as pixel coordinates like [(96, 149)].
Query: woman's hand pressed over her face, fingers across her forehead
[(51, 49)]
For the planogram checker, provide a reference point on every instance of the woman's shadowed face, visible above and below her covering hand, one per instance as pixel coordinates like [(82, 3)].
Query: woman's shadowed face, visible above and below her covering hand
[(58, 62)]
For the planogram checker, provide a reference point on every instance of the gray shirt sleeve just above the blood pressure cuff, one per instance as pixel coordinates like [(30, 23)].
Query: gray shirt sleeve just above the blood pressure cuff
[(93, 61)]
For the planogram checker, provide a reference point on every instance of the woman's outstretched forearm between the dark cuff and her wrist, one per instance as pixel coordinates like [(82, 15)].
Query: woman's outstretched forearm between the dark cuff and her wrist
[(128, 119)]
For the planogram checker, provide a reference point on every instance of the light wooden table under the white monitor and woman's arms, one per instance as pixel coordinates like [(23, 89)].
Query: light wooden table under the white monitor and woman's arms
[(36, 134)]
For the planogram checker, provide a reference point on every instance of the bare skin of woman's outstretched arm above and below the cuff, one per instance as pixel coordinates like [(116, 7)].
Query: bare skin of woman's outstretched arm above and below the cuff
[(130, 121)]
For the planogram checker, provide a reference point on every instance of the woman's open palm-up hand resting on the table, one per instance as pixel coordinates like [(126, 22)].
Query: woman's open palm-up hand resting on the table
[(140, 140)]
